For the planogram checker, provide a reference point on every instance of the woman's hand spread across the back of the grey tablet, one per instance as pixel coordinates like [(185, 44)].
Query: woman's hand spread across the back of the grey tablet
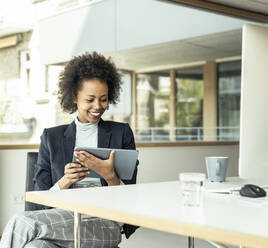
[(105, 168)]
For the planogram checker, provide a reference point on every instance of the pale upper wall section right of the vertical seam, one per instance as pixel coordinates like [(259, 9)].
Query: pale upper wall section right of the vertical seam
[(146, 22)]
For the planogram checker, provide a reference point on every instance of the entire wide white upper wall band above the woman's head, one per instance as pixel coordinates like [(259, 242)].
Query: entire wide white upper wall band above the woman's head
[(114, 25)]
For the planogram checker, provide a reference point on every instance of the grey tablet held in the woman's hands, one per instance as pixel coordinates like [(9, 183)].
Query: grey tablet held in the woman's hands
[(124, 160)]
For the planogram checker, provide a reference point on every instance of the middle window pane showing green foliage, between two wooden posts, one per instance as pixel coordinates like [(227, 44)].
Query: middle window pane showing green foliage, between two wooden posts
[(189, 87)]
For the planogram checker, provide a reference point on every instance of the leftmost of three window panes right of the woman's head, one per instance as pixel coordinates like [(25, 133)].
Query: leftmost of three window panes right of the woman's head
[(153, 91)]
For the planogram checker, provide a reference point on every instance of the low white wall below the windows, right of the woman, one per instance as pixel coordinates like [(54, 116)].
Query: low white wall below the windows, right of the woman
[(165, 163)]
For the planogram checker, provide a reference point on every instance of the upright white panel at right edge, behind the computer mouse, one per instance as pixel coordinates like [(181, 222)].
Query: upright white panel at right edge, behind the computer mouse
[(254, 102)]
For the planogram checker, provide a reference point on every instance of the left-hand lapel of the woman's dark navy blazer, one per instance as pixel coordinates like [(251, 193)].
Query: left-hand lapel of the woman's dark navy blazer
[(69, 142)]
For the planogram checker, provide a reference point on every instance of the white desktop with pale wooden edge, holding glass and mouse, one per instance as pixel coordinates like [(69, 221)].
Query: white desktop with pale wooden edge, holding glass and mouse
[(223, 218)]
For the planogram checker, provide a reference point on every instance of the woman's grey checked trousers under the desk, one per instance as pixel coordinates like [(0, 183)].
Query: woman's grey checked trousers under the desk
[(54, 228)]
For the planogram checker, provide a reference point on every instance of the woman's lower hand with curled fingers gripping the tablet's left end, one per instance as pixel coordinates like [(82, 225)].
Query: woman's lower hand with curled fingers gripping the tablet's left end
[(73, 172)]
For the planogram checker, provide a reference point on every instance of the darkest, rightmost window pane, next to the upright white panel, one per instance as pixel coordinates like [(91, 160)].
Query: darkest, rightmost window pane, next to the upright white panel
[(229, 87)]
